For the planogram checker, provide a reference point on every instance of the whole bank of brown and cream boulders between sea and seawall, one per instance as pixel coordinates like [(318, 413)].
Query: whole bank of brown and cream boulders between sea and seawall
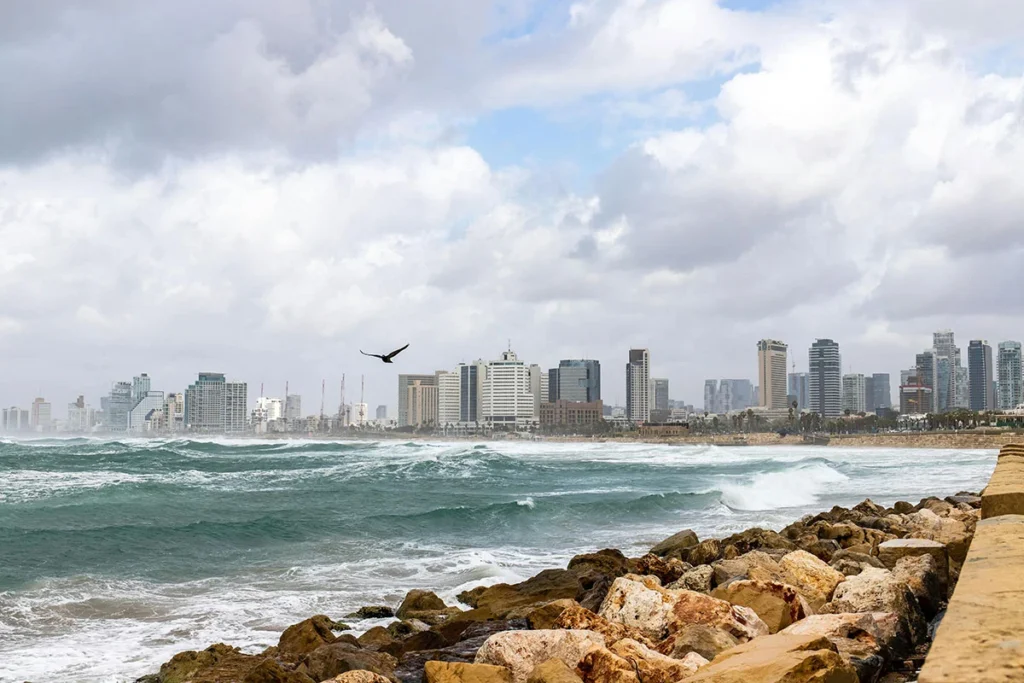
[(848, 595)]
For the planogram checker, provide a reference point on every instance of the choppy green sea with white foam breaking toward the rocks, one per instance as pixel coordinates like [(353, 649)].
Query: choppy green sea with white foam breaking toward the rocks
[(117, 554)]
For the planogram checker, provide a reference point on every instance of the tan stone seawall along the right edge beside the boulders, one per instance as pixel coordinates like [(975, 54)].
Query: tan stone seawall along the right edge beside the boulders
[(982, 638)]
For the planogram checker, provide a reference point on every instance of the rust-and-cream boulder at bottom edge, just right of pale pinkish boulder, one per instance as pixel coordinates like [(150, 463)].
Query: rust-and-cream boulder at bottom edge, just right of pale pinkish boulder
[(630, 662)]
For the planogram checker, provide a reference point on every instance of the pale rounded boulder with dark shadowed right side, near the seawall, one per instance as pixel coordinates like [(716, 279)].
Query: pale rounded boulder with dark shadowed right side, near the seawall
[(879, 591)]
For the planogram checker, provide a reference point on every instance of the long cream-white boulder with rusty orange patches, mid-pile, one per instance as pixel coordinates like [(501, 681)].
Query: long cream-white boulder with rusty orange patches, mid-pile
[(657, 612)]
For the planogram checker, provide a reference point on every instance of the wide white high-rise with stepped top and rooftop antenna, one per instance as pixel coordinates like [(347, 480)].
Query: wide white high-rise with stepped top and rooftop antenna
[(510, 392)]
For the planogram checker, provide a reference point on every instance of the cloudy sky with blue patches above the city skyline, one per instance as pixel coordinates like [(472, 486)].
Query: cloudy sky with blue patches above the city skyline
[(264, 188)]
